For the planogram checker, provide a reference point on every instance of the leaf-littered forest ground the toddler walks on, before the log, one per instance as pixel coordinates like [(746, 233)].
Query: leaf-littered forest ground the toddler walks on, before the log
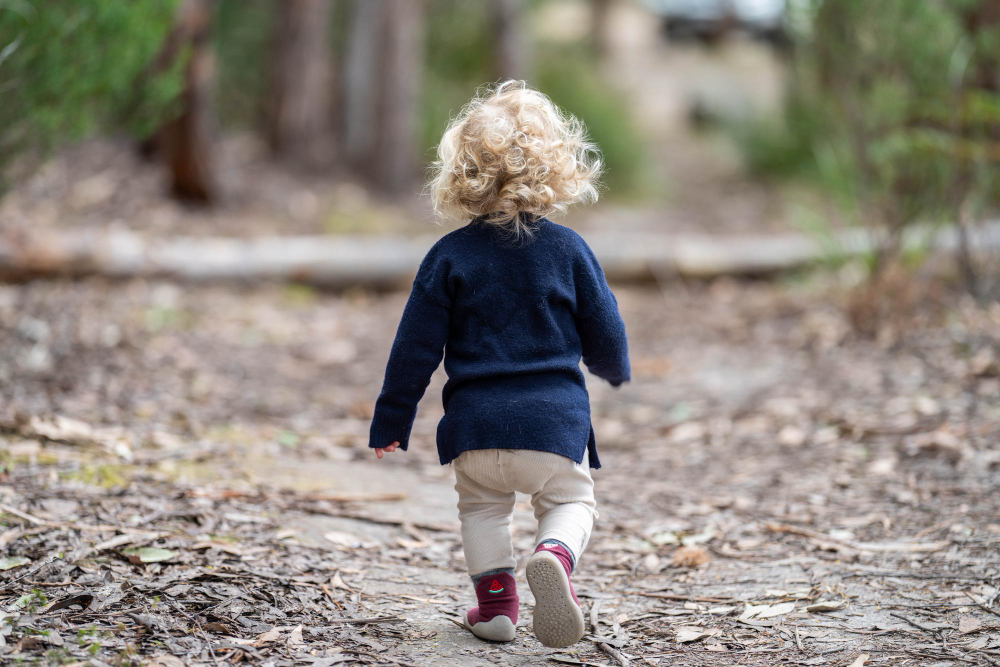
[(800, 463)]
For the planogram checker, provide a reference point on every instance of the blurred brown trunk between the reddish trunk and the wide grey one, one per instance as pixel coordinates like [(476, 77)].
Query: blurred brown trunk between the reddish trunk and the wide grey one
[(299, 108)]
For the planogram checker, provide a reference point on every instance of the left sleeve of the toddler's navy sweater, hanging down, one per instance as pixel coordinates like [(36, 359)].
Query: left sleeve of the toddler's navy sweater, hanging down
[(416, 353)]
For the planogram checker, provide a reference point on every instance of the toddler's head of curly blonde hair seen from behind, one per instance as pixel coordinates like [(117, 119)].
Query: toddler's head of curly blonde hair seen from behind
[(513, 156)]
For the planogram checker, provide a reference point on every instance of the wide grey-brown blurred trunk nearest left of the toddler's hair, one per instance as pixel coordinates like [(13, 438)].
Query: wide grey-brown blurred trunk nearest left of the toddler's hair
[(383, 76)]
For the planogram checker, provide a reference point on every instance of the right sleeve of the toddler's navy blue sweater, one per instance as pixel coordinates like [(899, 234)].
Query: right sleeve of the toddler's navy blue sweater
[(600, 325)]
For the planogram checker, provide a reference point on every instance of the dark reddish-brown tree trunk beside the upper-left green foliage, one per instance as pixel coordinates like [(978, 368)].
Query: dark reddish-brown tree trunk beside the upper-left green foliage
[(187, 139)]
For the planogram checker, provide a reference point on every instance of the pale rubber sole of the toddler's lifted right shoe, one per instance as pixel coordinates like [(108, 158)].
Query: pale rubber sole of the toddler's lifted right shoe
[(558, 620)]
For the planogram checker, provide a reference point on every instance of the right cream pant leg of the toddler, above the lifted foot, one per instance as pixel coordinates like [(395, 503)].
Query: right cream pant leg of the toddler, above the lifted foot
[(565, 506)]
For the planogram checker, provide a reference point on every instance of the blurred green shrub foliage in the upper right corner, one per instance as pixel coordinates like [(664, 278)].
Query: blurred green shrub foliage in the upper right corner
[(889, 110)]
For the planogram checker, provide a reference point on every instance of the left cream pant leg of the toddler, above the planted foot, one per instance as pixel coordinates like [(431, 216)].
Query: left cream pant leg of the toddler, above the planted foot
[(485, 510)]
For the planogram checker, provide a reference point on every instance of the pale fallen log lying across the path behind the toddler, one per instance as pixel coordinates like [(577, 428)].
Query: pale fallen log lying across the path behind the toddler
[(341, 261)]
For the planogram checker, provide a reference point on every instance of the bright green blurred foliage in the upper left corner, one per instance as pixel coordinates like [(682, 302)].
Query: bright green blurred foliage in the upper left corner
[(71, 67)]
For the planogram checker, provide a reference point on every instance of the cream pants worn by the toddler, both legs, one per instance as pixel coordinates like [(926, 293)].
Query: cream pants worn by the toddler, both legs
[(562, 495)]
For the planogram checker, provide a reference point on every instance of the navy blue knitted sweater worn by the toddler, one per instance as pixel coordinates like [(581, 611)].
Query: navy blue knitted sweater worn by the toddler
[(512, 319)]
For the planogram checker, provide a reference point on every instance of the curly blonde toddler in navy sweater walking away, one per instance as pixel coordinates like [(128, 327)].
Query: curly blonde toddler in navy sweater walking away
[(512, 301)]
